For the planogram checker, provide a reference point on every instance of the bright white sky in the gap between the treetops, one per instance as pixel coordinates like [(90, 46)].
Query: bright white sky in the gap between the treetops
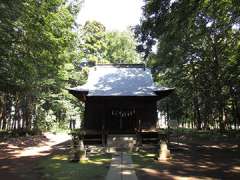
[(113, 14)]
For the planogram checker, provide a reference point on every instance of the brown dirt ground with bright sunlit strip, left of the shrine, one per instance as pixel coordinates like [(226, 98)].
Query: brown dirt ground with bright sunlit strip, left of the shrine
[(19, 156)]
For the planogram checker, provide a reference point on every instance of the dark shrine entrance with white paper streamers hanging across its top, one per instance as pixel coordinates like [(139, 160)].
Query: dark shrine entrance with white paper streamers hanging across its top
[(122, 120)]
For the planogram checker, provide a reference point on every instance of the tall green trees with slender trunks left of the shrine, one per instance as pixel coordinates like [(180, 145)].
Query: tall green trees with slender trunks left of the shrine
[(36, 37)]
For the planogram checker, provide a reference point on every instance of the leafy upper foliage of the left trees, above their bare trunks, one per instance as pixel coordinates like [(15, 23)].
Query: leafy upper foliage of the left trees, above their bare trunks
[(43, 32)]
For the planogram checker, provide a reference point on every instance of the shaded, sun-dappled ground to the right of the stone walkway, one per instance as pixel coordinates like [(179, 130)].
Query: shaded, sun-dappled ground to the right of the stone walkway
[(192, 161)]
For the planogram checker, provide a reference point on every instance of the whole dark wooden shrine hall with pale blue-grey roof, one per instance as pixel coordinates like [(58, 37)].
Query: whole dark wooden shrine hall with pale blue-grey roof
[(119, 99)]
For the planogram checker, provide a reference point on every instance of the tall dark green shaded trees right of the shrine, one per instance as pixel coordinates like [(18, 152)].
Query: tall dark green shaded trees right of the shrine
[(198, 53)]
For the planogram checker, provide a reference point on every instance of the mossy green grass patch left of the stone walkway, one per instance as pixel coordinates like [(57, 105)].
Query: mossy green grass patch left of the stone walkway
[(58, 167)]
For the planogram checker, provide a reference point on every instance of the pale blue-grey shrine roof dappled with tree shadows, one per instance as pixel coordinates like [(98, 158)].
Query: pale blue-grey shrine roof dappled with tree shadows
[(119, 81)]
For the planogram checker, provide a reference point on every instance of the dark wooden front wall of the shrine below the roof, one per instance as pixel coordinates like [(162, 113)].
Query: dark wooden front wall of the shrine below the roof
[(98, 112)]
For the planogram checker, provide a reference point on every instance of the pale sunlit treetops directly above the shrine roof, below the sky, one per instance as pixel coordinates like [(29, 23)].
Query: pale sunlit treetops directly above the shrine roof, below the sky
[(100, 46)]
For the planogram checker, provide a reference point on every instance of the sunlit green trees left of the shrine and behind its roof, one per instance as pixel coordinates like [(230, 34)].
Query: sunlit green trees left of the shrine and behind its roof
[(42, 48)]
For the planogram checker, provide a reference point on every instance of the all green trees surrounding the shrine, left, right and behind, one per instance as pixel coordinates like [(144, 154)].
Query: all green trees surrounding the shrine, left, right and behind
[(42, 49)]
